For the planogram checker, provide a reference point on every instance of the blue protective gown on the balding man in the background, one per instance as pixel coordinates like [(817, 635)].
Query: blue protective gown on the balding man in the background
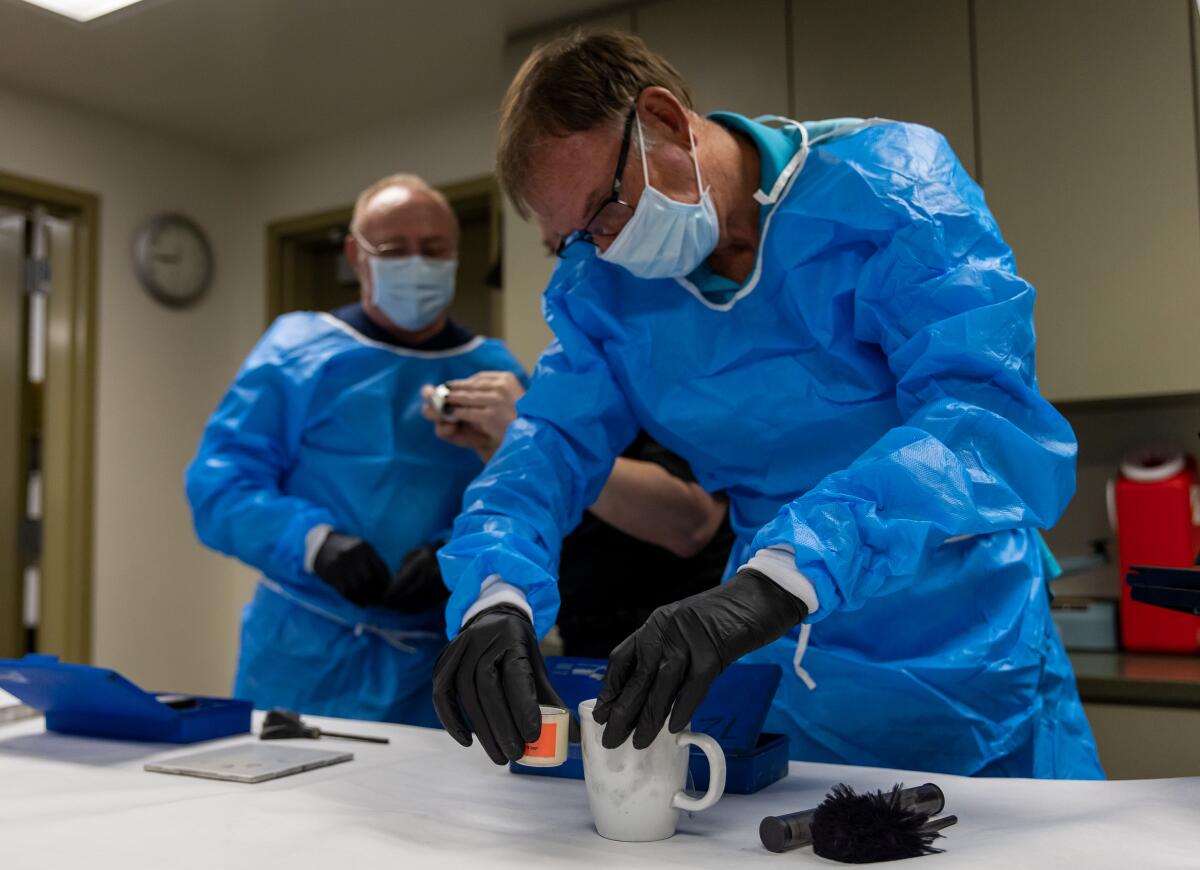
[(323, 425)]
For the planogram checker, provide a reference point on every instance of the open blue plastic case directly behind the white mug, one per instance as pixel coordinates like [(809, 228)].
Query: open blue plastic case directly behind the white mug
[(734, 713)]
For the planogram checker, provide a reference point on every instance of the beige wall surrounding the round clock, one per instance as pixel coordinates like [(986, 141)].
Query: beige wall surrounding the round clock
[(165, 609)]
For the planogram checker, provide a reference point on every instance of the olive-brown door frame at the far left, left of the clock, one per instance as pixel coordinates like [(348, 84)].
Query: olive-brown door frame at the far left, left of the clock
[(68, 506)]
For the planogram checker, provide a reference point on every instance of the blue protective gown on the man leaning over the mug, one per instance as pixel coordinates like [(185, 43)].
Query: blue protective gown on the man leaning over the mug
[(868, 400)]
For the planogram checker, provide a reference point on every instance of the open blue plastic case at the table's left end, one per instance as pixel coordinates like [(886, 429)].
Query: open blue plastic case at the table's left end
[(99, 703)]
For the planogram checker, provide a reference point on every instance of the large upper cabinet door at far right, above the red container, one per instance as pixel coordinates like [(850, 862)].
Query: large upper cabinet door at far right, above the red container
[(1089, 158)]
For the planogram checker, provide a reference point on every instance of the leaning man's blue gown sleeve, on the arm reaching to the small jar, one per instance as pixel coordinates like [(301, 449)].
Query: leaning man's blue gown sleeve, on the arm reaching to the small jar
[(556, 458)]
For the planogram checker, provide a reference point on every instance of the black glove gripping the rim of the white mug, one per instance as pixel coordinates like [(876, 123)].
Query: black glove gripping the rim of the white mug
[(668, 665)]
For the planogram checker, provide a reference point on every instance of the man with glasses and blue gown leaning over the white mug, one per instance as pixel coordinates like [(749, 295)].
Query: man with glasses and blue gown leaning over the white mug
[(824, 320)]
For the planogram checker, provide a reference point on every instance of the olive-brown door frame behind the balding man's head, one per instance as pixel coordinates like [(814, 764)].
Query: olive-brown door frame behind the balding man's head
[(283, 235)]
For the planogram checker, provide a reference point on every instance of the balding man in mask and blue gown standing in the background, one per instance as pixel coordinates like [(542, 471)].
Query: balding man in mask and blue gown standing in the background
[(319, 471)]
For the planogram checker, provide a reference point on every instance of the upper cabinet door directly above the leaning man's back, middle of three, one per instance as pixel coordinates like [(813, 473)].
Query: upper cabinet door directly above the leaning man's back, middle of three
[(903, 59)]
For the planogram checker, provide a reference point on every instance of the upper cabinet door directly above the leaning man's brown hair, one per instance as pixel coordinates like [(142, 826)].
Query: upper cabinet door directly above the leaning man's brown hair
[(734, 56)]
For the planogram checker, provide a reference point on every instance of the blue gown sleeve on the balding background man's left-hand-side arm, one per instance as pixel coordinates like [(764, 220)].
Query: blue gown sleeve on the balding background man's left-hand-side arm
[(235, 483)]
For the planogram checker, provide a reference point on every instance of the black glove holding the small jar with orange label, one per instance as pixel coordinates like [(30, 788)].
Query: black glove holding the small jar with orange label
[(491, 680)]
